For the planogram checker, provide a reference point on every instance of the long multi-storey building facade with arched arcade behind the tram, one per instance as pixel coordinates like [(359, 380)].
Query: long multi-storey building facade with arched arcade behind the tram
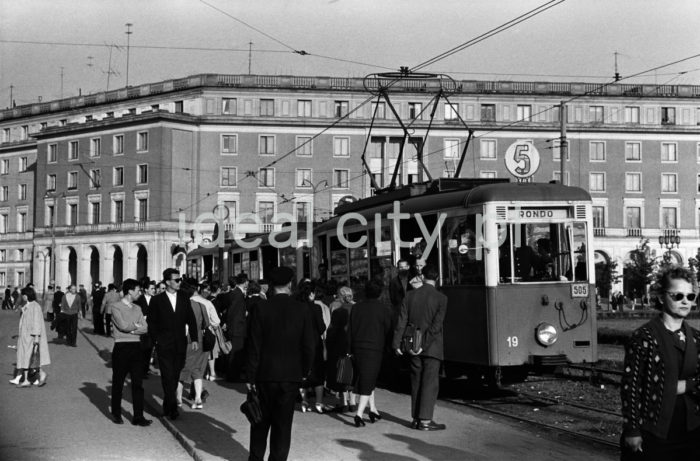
[(115, 185)]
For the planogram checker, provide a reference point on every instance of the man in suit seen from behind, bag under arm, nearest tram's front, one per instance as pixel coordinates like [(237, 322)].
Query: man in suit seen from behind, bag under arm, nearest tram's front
[(425, 308)]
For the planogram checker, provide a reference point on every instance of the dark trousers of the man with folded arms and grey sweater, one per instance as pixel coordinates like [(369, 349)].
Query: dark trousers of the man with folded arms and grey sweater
[(127, 358)]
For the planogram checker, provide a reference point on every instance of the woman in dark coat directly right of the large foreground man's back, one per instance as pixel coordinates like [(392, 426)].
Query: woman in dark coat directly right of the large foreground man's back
[(306, 294)]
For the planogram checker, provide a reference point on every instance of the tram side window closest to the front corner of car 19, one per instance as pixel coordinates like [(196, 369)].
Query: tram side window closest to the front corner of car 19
[(463, 262)]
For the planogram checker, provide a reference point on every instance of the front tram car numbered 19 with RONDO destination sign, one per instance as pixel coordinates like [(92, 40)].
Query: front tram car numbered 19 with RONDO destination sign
[(515, 262)]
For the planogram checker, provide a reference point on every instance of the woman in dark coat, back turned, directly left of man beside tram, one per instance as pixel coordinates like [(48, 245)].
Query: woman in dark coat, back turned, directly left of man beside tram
[(370, 325)]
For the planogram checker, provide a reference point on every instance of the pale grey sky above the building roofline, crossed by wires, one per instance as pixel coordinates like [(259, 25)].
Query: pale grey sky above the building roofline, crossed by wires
[(575, 40)]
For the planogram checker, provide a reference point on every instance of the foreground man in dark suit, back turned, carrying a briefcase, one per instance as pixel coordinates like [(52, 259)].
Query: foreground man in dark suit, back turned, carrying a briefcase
[(280, 353)]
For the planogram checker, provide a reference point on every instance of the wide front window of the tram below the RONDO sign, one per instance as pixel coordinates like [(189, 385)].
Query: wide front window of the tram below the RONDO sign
[(543, 252)]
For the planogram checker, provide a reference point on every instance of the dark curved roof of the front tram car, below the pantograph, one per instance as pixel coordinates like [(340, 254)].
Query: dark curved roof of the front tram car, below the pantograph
[(436, 201)]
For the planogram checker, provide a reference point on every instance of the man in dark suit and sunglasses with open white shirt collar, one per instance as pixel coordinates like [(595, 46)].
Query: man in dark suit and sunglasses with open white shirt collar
[(168, 314)]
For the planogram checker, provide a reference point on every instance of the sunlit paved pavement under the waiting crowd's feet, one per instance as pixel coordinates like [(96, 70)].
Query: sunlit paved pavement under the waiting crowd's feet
[(220, 431)]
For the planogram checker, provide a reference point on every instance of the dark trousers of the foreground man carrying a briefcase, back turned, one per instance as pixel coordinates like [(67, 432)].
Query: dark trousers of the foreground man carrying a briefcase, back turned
[(277, 401)]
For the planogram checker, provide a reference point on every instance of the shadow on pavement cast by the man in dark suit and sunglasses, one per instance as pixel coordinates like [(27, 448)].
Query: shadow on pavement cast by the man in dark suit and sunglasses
[(210, 435)]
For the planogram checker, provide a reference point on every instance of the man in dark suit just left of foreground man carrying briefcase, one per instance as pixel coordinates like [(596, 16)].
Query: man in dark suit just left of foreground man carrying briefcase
[(236, 326)]
